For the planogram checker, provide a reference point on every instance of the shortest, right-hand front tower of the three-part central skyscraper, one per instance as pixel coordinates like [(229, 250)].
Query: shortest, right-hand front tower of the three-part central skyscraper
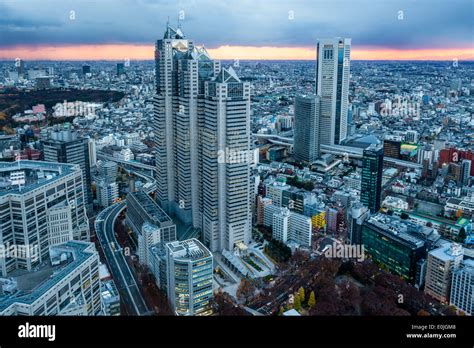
[(226, 186)]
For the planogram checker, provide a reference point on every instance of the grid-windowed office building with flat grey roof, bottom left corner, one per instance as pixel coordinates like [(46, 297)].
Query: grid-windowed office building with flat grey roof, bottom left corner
[(66, 284)]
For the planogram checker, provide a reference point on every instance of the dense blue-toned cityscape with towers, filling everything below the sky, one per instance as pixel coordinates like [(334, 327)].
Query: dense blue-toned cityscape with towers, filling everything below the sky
[(186, 185)]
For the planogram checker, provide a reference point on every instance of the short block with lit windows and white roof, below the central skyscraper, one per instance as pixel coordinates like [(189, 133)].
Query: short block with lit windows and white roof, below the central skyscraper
[(189, 277)]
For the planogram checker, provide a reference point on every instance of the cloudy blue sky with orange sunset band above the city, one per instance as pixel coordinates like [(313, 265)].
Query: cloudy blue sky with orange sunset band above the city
[(237, 29)]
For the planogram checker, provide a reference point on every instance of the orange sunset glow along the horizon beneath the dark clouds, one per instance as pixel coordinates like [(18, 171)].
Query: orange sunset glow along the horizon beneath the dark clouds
[(145, 52)]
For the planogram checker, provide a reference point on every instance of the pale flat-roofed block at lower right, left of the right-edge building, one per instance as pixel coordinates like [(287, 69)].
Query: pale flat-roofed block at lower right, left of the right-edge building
[(441, 264)]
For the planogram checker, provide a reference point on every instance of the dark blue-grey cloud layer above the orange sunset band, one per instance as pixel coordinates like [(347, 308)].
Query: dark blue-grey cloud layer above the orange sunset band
[(425, 23)]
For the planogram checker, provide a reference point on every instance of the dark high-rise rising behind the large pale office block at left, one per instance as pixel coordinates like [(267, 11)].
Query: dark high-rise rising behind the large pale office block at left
[(67, 146)]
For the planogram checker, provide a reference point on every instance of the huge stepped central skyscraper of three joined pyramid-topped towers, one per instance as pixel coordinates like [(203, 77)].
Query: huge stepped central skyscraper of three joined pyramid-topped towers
[(201, 111)]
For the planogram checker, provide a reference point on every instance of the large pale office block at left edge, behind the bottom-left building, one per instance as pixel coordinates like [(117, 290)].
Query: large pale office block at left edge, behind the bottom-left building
[(39, 201)]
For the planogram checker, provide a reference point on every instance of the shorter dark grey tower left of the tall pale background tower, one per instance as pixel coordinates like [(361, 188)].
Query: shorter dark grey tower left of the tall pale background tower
[(306, 138)]
